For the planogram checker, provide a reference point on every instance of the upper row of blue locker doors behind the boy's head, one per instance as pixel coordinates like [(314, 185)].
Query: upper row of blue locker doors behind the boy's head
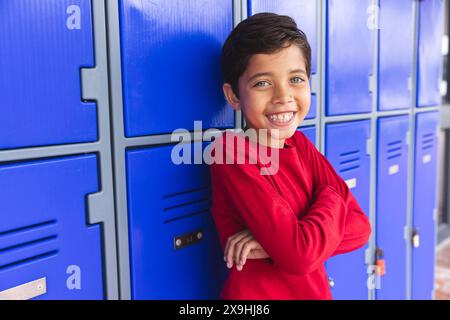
[(53, 40)]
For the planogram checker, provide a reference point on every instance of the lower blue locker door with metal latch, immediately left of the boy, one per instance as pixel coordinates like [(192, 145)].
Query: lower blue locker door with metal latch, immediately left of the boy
[(167, 202)]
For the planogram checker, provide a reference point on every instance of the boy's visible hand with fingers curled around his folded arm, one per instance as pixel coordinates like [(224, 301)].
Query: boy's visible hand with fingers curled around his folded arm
[(242, 246)]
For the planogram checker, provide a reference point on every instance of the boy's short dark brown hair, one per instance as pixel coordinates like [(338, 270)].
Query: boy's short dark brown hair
[(261, 33)]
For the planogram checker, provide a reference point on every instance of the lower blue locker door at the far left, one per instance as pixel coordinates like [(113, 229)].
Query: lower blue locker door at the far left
[(43, 228)]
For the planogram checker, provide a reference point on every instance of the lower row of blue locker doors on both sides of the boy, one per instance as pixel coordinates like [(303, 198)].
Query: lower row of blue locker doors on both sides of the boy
[(44, 232)]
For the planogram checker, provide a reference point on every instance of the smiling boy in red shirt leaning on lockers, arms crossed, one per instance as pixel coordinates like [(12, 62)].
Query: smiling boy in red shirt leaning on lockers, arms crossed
[(277, 230)]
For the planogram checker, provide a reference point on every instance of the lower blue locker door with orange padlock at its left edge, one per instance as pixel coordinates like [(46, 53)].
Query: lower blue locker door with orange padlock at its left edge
[(392, 202)]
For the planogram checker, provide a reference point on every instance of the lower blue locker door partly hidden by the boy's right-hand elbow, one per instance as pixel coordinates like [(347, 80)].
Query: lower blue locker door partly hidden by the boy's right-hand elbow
[(345, 148)]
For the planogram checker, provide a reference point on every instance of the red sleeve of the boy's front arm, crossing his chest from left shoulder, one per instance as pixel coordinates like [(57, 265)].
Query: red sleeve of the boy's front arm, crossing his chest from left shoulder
[(295, 246)]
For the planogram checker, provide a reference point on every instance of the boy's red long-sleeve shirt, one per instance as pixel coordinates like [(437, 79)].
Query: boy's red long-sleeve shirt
[(301, 215)]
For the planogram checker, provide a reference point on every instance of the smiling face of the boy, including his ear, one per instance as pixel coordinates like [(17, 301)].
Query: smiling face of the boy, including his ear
[(274, 94)]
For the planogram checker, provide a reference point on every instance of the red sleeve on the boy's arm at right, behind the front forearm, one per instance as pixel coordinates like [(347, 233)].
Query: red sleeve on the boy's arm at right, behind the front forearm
[(357, 226)]
